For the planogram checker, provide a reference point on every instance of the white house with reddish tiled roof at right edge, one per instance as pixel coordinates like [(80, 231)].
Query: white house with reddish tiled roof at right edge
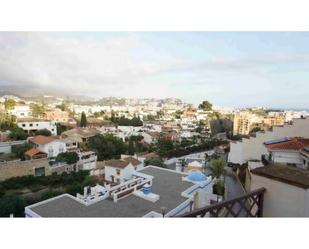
[(290, 151)]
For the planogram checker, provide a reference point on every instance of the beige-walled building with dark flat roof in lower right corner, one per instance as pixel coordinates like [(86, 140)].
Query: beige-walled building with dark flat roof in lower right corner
[(287, 190)]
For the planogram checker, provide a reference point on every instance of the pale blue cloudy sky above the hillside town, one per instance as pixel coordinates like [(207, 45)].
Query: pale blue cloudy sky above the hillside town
[(235, 69)]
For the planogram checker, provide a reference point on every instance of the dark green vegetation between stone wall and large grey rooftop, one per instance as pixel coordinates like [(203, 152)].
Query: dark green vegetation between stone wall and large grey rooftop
[(15, 202)]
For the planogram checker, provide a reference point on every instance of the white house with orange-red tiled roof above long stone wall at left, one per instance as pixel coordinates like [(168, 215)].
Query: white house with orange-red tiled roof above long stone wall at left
[(49, 145)]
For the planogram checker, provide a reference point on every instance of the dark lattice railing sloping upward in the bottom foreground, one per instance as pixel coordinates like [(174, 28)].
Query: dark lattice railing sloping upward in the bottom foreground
[(248, 205)]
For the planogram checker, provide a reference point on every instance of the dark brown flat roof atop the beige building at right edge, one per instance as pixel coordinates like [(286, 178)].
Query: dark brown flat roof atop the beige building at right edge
[(286, 174)]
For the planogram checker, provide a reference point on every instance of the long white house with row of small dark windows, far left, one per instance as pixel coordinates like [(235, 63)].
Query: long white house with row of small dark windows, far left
[(31, 125)]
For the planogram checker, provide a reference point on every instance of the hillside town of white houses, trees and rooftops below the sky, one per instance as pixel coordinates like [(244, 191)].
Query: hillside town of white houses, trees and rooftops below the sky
[(124, 157)]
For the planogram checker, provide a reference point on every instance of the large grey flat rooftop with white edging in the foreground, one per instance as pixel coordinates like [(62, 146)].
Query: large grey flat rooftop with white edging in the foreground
[(166, 183)]
